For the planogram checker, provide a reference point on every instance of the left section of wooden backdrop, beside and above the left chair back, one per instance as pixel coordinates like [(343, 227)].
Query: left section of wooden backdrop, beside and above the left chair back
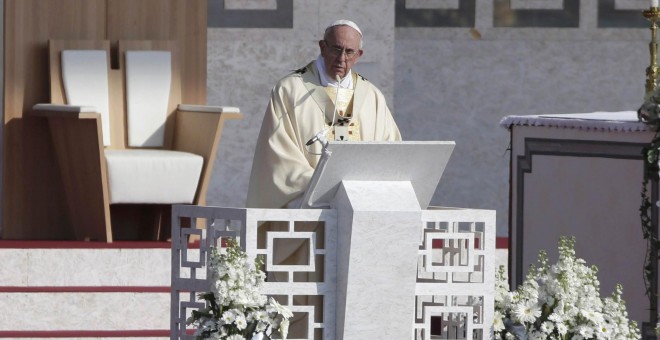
[(33, 201)]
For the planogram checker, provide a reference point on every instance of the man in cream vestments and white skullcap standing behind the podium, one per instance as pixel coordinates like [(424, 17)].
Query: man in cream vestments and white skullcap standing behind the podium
[(301, 106)]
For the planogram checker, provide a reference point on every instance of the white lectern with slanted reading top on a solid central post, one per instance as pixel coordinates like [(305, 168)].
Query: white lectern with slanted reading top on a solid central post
[(379, 190)]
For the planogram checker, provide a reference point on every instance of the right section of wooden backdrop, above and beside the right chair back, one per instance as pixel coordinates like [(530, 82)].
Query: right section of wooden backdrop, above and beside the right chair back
[(181, 20)]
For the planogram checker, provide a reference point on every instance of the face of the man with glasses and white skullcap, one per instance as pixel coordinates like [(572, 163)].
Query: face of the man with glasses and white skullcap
[(340, 50)]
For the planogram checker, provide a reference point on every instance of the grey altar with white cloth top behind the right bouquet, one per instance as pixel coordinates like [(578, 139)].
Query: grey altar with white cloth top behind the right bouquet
[(581, 175)]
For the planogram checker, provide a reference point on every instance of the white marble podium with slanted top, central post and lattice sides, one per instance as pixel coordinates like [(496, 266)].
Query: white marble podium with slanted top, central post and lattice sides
[(379, 263)]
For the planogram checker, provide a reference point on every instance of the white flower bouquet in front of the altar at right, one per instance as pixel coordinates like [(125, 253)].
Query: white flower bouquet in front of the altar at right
[(560, 302)]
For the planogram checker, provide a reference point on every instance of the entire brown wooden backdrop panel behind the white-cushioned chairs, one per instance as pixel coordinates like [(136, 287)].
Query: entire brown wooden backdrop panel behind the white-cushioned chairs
[(33, 196)]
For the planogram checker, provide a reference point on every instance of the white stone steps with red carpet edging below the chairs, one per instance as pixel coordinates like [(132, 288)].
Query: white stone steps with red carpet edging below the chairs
[(74, 290)]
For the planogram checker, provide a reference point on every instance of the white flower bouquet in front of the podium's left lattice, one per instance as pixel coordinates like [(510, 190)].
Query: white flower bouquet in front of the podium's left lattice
[(235, 308)]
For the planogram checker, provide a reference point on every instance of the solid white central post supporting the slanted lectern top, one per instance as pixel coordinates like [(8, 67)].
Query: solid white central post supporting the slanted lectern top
[(378, 240)]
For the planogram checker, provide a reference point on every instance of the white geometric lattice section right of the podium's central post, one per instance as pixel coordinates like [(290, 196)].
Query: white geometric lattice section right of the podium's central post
[(455, 275)]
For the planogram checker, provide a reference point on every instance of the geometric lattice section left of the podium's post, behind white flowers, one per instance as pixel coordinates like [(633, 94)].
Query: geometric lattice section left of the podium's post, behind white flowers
[(298, 248)]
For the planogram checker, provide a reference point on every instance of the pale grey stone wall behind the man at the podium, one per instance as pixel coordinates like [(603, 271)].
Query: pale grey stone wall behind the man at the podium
[(442, 83)]
